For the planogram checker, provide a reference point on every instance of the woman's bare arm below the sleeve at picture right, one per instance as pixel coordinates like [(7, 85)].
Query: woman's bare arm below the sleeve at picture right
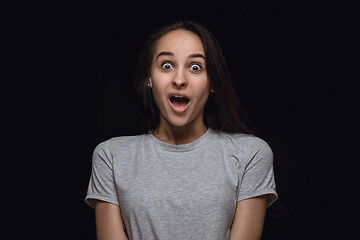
[(249, 219)]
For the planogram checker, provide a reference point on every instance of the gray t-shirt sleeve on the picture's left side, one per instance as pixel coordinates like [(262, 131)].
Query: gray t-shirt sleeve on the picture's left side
[(101, 184)]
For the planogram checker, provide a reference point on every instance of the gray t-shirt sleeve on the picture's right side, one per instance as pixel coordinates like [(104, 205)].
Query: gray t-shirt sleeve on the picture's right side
[(258, 176)]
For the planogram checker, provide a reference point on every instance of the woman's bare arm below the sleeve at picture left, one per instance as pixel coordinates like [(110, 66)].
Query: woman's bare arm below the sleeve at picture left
[(109, 224)]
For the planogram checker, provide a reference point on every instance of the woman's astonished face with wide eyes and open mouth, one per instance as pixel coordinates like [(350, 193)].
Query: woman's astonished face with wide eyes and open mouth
[(179, 82)]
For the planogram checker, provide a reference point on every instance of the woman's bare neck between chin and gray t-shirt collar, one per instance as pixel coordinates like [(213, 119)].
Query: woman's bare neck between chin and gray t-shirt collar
[(168, 133)]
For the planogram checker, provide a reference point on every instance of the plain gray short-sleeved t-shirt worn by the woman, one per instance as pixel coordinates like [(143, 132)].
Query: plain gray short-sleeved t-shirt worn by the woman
[(185, 191)]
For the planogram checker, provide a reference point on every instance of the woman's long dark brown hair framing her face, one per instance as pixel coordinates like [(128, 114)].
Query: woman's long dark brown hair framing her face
[(222, 110)]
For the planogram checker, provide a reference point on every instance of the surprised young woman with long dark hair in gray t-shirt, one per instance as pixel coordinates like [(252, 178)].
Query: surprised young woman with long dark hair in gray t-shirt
[(197, 173)]
